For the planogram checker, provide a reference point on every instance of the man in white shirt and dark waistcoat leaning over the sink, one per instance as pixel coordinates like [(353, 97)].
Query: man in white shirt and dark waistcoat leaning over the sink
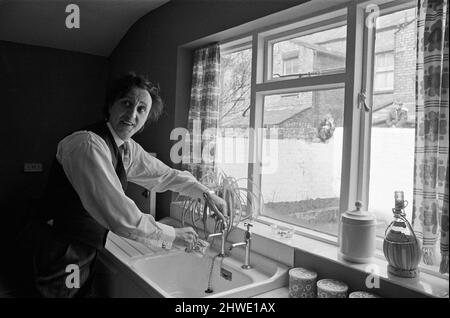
[(85, 197)]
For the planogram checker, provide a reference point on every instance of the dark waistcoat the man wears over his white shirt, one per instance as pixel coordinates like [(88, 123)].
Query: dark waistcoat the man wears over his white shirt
[(62, 203)]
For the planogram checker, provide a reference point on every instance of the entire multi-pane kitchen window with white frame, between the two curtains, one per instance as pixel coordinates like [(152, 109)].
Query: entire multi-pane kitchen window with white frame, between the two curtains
[(320, 151)]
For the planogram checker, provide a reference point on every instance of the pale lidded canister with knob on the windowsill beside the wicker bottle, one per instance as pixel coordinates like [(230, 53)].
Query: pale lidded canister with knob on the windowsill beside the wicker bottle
[(357, 239)]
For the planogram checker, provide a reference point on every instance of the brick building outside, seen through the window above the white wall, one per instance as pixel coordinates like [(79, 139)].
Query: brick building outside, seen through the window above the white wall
[(298, 115)]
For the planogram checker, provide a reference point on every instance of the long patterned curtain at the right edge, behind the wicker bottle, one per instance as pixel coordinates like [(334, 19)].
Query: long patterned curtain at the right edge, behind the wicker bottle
[(431, 167)]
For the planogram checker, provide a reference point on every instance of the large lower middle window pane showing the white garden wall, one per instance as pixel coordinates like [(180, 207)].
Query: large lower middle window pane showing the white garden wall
[(302, 187)]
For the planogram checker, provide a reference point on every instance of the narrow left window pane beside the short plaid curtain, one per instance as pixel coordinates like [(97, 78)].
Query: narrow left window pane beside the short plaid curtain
[(234, 114)]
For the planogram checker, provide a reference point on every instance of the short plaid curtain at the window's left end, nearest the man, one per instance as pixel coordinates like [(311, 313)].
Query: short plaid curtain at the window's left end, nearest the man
[(204, 110)]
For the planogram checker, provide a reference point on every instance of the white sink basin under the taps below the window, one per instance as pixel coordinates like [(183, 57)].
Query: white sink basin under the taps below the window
[(186, 275)]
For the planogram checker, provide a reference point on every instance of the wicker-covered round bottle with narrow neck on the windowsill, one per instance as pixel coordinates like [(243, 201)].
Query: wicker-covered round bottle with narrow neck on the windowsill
[(400, 246)]
